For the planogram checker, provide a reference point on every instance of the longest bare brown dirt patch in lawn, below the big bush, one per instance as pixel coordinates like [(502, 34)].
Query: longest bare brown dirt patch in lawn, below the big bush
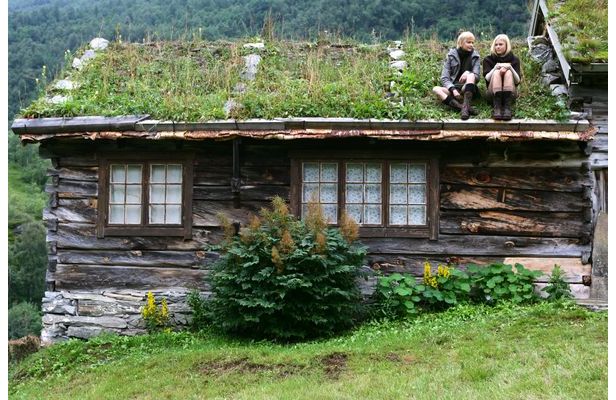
[(243, 366)]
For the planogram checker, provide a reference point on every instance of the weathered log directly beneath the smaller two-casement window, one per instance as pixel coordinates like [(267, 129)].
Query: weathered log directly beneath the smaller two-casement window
[(83, 236)]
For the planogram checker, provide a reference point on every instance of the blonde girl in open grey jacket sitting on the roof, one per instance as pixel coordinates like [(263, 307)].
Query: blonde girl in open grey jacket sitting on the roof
[(459, 76)]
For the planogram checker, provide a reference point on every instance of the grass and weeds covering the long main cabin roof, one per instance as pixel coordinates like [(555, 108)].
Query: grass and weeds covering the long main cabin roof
[(192, 80)]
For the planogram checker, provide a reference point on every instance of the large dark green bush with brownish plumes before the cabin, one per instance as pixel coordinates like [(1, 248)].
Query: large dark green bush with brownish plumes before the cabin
[(281, 278)]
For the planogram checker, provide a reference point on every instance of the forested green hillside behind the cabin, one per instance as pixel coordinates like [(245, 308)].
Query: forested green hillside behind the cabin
[(42, 31)]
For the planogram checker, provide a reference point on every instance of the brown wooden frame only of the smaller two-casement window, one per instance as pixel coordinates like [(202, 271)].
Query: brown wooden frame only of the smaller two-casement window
[(183, 229)]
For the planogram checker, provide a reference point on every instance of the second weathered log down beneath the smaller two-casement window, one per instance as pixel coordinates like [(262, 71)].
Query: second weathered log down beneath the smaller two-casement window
[(142, 258)]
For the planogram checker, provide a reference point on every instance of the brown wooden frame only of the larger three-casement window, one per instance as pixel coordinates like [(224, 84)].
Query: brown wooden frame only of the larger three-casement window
[(430, 230)]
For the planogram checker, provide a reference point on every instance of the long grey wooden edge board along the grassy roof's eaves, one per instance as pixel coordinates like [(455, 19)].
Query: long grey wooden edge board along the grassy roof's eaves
[(46, 126)]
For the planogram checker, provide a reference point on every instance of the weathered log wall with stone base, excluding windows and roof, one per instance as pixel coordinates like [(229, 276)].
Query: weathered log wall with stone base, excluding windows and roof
[(527, 202)]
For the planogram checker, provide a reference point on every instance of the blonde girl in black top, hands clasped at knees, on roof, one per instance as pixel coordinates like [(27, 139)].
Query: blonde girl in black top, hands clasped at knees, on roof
[(501, 70)]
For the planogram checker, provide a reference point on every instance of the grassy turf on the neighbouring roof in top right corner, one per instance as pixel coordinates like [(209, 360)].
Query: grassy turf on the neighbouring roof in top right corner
[(581, 26)]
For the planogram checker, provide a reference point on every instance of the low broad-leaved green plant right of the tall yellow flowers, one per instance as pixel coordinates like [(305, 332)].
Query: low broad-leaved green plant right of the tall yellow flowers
[(496, 282)]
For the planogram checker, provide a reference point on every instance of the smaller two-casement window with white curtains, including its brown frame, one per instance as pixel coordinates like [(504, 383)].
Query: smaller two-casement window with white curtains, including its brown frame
[(145, 196)]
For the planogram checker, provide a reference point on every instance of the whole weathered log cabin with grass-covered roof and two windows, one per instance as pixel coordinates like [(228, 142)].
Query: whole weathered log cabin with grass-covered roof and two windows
[(143, 162)]
